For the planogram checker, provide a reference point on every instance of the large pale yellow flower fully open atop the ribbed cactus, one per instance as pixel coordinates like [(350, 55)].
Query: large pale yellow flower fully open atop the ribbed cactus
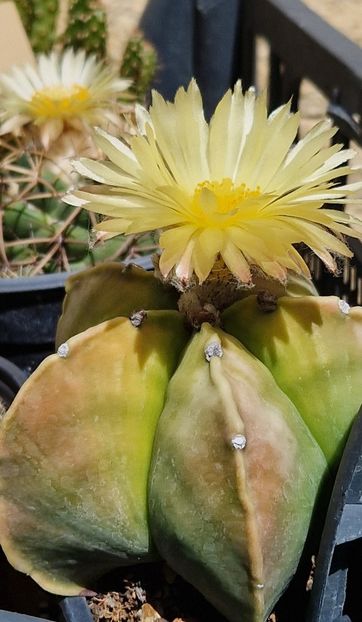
[(237, 188)]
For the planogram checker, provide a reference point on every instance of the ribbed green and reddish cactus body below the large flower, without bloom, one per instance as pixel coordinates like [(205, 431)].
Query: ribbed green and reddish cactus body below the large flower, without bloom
[(221, 471)]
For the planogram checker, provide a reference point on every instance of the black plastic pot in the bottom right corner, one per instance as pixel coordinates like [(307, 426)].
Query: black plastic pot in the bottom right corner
[(336, 594)]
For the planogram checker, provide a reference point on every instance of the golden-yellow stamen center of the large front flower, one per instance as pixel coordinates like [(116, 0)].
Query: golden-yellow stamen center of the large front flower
[(217, 203)]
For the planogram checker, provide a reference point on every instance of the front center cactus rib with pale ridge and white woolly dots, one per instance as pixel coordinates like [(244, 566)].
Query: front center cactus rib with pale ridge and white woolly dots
[(233, 465)]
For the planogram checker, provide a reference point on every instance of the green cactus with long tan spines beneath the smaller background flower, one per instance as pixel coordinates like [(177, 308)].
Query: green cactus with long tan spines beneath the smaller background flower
[(39, 232)]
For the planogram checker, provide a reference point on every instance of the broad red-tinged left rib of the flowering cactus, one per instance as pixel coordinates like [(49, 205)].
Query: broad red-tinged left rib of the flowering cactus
[(75, 448)]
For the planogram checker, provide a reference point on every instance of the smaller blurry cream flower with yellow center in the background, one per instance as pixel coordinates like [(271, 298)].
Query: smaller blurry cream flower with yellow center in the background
[(68, 92)]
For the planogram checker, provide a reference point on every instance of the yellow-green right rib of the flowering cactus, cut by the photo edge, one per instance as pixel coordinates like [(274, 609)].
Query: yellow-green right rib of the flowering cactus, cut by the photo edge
[(313, 347)]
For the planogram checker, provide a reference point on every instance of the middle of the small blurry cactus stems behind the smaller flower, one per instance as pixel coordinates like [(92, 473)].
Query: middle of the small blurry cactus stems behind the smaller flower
[(87, 27)]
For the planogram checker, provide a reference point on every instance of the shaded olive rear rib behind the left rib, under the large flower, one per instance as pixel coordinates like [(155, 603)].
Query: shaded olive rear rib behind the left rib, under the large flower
[(109, 291)]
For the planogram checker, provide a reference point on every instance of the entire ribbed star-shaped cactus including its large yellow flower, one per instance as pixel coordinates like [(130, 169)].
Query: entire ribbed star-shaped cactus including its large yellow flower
[(192, 413)]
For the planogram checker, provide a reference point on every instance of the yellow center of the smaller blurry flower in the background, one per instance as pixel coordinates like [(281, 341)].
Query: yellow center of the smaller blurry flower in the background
[(60, 102)]
